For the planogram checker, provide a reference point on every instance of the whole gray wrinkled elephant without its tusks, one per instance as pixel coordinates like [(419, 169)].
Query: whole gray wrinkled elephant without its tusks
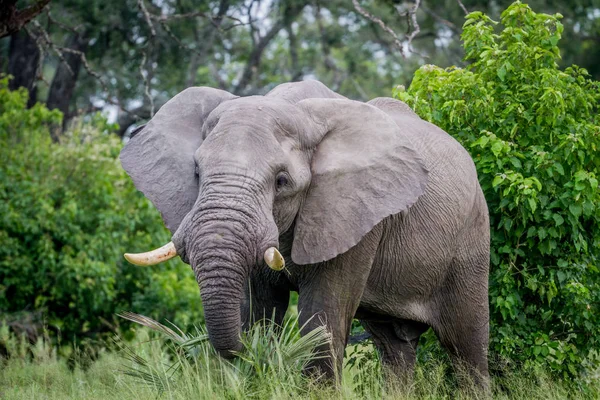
[(380, 216)]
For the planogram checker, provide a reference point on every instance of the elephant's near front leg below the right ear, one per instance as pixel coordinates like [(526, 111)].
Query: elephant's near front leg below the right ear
[(329, 294)]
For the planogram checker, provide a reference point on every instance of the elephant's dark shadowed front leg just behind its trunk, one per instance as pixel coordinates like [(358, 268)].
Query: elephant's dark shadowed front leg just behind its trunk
[(264, 301)]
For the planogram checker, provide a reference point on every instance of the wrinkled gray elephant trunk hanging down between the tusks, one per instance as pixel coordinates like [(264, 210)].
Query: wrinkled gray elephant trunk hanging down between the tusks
[(223, 242)]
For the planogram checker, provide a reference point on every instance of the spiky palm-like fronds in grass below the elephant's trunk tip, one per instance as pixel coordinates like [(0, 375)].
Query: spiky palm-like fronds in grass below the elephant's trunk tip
[(270, 364)]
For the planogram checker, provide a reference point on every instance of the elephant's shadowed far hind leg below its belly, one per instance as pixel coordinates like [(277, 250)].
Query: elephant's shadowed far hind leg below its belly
[(397, 343)]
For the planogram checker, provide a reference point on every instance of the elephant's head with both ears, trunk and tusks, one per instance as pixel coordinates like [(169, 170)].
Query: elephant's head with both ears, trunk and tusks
[(230, 175)]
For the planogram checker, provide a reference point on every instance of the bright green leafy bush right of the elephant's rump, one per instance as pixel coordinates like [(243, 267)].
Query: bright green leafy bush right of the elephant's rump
[(534, 133)]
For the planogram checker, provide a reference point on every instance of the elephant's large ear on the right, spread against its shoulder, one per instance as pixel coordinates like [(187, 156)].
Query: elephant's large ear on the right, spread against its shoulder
[(363, 170)]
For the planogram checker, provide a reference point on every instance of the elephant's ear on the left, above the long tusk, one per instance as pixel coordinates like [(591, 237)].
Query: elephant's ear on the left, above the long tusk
[(160, 158)]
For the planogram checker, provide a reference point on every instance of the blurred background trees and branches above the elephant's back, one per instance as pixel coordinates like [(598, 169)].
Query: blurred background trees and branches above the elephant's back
[(139, 53)]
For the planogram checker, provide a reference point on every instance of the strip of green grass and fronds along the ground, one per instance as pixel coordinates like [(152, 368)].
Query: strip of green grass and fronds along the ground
[(178, 365)]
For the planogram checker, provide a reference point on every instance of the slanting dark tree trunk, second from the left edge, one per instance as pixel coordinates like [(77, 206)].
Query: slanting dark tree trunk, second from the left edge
[(63, 83)]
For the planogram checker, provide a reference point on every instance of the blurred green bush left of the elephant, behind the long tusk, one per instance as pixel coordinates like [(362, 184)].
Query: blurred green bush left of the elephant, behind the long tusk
[(68, 212)]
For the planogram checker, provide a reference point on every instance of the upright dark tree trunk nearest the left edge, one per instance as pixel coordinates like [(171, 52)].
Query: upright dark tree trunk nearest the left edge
[(23, 59)]
